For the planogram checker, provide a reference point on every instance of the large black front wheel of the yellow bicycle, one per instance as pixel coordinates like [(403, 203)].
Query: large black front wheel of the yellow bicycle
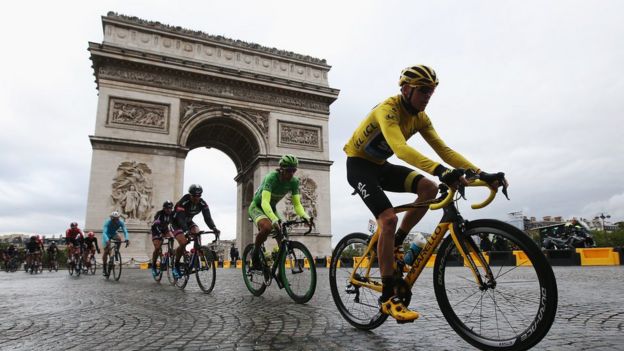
[(514, 280)]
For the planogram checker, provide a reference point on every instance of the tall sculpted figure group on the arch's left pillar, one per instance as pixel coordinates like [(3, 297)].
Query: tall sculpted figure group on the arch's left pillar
[(132, 191)]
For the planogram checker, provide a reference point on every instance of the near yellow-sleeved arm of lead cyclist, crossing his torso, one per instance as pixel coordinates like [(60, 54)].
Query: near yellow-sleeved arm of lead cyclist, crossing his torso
[(396, 141)]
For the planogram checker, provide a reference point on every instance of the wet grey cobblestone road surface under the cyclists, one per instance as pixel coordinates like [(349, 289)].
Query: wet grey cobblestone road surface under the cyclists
[(53, 311)]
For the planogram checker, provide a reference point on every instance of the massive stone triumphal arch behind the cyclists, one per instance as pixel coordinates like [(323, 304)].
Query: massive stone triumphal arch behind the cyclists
[(165, 90)]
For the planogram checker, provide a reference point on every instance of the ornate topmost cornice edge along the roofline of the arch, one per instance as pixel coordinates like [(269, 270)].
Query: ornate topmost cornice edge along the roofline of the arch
[(155, 25)]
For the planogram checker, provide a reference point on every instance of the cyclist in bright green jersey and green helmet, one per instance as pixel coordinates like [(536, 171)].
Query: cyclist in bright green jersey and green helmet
[(274, 187)]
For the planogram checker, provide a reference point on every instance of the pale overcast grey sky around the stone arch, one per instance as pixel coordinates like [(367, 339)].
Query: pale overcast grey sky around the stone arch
[(531, 88)]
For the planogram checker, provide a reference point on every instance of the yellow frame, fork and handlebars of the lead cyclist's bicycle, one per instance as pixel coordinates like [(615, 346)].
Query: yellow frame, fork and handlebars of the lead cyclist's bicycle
[(451, 221)]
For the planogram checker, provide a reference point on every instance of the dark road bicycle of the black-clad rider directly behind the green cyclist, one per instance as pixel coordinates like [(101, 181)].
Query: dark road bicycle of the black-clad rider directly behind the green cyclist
[(199, 261)]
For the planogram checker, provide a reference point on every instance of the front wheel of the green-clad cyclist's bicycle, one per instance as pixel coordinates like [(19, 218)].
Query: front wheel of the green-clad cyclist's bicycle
[(298, 287)]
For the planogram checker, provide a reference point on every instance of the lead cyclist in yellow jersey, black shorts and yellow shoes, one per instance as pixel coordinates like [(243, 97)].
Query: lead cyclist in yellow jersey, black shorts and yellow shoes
[(381, 134)]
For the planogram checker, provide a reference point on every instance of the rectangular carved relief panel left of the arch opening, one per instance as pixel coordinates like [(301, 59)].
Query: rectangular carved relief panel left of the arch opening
[(129, 113)]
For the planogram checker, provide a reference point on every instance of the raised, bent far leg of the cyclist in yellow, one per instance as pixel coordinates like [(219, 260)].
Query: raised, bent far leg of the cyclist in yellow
[(401, 179)]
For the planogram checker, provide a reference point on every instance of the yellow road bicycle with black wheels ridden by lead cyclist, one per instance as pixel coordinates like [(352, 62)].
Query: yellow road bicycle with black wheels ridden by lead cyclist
[(495, 300)]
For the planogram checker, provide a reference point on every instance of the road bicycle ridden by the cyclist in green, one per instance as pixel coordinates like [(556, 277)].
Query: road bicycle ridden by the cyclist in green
[(297, 270)]
